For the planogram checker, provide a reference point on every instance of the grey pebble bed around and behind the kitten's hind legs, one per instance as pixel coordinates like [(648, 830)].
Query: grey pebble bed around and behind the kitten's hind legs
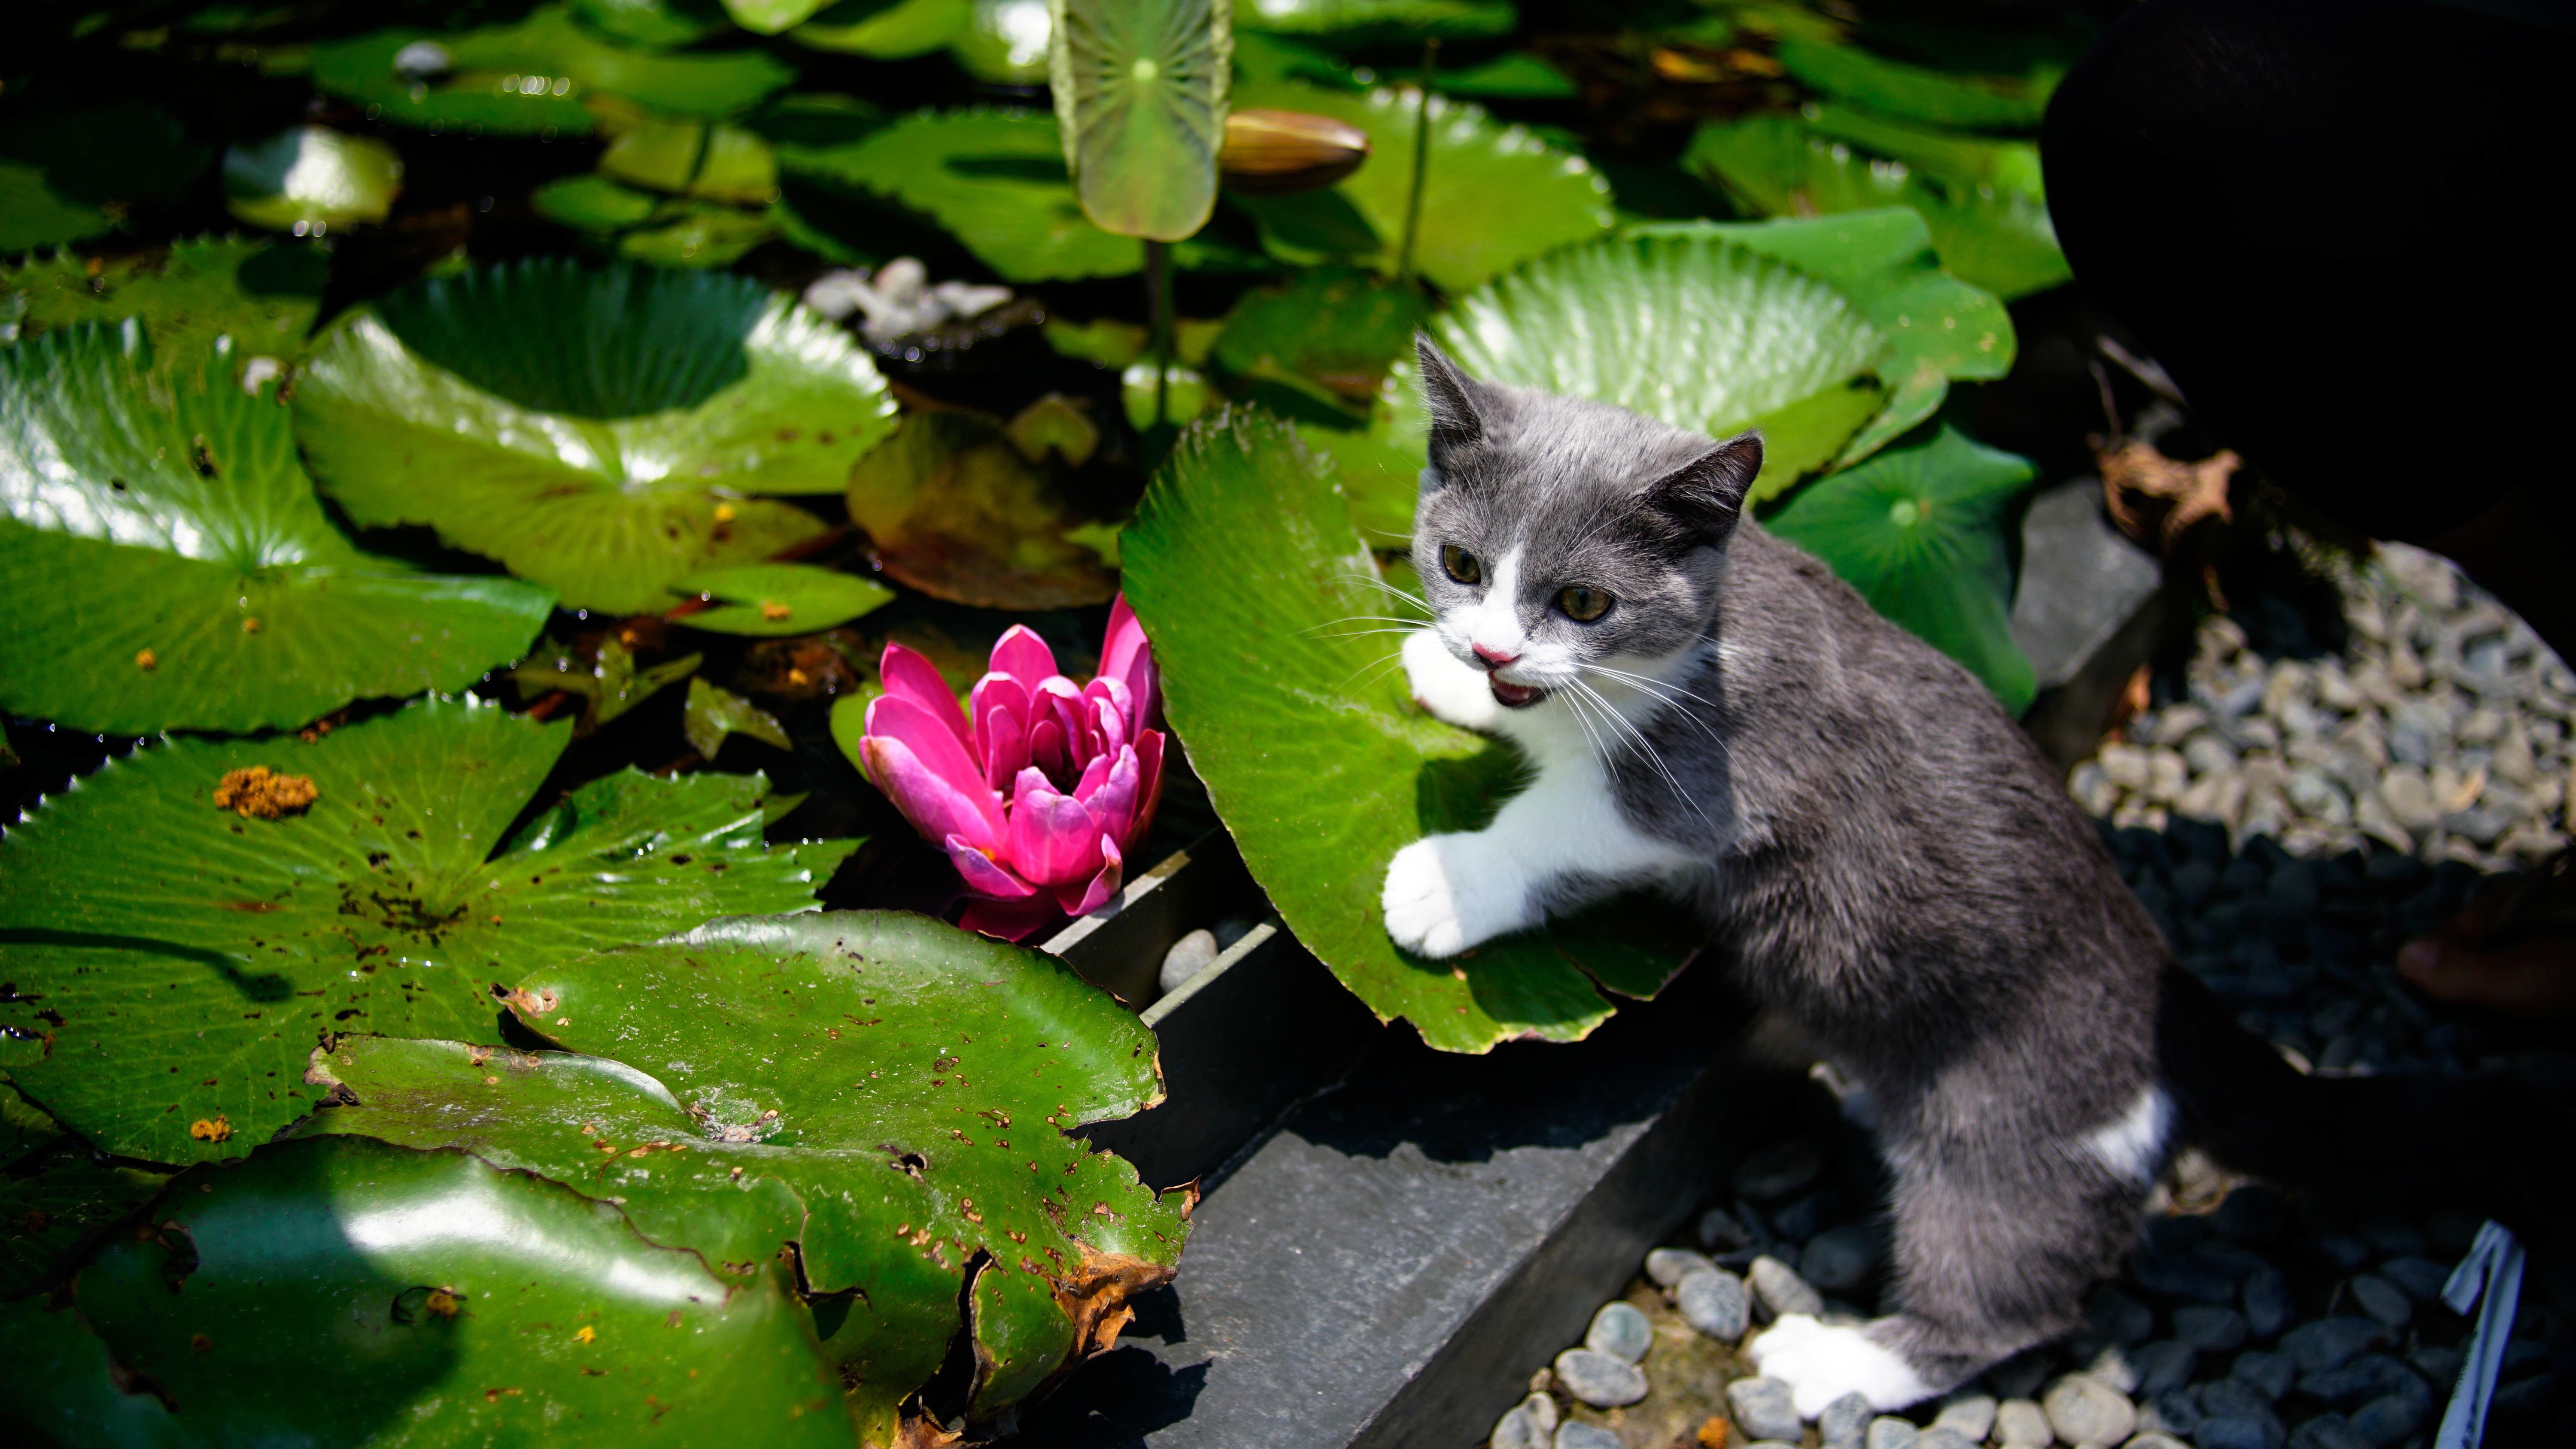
[(2289, 825)]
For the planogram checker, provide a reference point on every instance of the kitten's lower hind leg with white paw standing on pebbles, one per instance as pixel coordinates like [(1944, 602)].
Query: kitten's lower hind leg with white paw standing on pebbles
[(1995, 1250)]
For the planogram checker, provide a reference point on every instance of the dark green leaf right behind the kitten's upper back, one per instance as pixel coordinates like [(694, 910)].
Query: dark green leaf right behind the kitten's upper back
[(1920, 534)]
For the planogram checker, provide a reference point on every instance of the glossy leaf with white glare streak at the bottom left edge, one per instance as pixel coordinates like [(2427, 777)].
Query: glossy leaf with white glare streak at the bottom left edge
[(434, 1301)]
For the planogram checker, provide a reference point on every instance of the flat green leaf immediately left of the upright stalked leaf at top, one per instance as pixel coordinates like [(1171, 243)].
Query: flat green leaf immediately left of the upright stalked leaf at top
[(993, 179)]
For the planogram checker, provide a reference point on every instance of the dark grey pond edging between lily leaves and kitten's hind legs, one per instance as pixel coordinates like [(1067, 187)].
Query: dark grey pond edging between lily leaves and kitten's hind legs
[(1390, 1234)]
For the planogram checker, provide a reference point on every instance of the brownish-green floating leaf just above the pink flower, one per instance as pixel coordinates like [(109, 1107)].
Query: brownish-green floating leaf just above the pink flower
[(962, 516)]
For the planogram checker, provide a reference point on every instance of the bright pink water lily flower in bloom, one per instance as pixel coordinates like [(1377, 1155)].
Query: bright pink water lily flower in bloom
[(1039, 789)]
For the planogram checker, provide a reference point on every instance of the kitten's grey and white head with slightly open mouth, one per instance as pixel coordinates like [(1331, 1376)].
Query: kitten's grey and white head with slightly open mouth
[(1560, 534)]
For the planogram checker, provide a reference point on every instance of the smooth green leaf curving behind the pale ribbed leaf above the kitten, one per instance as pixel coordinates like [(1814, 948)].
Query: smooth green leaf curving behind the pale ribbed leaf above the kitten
[(1938, 328)]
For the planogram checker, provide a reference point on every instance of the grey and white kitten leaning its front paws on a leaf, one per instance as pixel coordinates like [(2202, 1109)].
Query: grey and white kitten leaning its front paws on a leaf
[(1887, 858)]
